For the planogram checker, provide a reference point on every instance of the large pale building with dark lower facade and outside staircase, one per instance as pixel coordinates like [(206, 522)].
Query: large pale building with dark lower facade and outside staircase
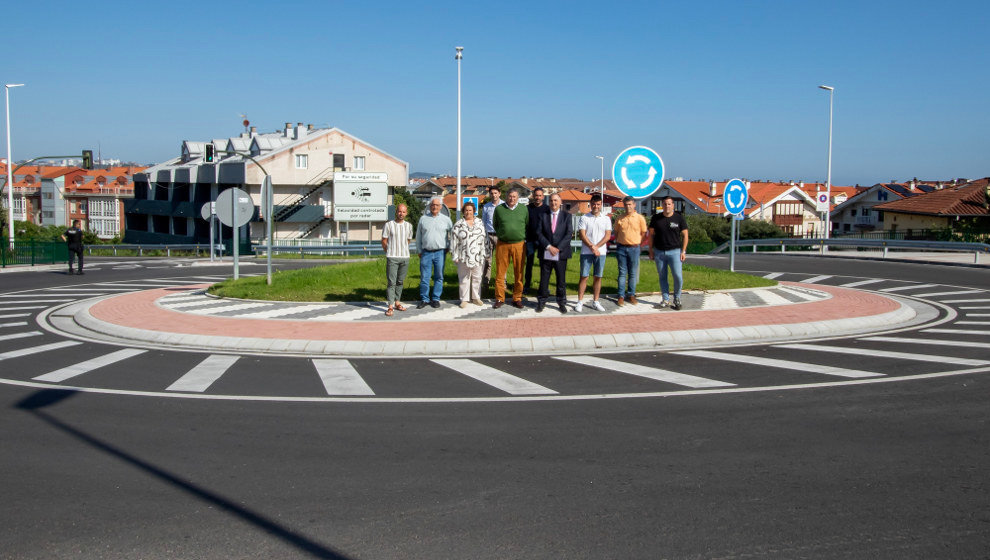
[(302, 162)]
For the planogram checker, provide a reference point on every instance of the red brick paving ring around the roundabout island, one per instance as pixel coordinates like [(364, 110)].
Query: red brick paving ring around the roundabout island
[(138, 310)]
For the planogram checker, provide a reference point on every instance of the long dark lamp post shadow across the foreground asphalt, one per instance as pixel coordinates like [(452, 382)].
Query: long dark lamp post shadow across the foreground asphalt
[(39, 400)]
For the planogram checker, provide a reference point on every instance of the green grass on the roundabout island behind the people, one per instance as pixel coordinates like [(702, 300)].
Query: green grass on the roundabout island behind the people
[(365, 281)]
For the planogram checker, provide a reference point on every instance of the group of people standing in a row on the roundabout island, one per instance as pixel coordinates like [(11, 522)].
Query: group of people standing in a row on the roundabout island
[(521, 234)]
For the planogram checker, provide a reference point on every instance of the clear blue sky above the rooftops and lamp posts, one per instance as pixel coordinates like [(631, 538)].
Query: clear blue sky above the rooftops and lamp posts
[(719, 89)]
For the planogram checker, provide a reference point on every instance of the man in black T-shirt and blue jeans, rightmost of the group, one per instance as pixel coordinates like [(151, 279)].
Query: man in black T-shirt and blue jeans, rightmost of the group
[(668, 249)]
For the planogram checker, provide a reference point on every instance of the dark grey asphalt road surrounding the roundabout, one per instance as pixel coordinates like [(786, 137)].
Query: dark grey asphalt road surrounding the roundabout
[(884, 470)]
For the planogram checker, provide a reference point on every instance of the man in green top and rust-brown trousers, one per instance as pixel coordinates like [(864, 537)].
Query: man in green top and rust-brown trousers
[(510, 223)]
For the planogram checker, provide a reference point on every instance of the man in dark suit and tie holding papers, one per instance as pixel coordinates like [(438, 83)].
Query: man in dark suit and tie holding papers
[(554, 245)]
